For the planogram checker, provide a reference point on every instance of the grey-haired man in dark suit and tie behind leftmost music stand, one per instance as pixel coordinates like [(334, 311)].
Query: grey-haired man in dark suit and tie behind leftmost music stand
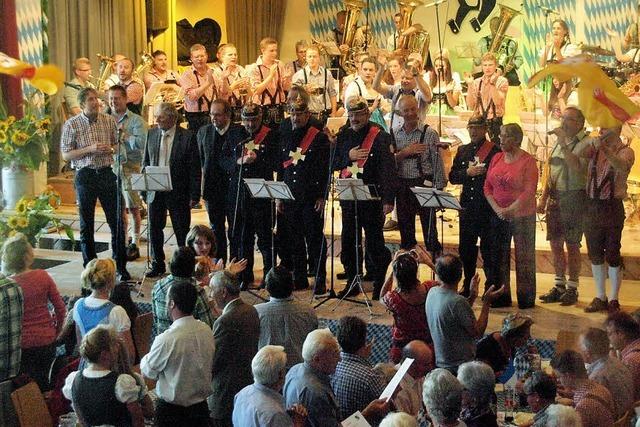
[(170, 145)]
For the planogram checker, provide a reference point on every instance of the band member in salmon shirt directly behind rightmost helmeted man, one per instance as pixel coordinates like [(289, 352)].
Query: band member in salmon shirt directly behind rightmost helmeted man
[(487, 95)]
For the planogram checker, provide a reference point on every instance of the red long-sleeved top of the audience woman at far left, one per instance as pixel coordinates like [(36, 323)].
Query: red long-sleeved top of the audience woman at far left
[(39, 327)]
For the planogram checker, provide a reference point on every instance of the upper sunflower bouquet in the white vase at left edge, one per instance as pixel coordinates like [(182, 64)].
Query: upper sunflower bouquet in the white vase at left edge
[(23, 142)]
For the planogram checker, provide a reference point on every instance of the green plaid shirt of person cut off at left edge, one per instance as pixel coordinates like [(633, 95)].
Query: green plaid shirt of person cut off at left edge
[(11, 301)]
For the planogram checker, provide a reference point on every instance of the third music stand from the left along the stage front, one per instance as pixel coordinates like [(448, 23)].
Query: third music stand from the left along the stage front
[(355, 190)]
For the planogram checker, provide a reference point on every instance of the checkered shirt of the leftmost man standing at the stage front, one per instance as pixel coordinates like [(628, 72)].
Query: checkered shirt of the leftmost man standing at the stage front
[(80, 132)]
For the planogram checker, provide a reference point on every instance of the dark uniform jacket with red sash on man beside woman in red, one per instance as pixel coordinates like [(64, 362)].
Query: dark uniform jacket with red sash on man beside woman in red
[(472, 186)]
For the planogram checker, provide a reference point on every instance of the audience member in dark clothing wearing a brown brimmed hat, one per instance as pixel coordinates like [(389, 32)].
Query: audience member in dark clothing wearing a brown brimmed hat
[(498, 348)]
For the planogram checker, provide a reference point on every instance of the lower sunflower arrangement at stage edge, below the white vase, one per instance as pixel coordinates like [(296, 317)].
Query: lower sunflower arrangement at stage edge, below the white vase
[(33, 215)]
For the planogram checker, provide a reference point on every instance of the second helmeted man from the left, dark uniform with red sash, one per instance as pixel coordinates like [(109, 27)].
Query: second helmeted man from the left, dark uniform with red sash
[(304, 167)]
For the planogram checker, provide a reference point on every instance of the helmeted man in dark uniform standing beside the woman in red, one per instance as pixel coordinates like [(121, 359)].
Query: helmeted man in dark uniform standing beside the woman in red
[(469, 169)]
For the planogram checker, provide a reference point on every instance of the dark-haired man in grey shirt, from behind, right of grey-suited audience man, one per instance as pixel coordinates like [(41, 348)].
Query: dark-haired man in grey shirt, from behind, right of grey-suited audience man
[(283, 320)]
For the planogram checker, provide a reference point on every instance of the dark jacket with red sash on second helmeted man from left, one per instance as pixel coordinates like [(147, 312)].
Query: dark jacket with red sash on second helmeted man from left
[(306, 178)]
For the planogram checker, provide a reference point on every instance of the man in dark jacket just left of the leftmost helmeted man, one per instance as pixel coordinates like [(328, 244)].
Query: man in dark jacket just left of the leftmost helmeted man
[(211, 139)]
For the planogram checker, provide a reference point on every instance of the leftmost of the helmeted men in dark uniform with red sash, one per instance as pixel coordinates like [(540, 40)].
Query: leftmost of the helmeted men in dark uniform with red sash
[(251, 154)]
